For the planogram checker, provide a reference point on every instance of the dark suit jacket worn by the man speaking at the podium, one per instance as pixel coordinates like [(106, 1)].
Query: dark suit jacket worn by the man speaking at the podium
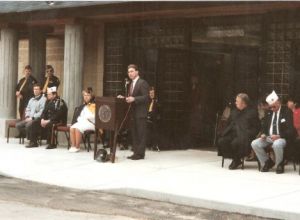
[(139, 108)]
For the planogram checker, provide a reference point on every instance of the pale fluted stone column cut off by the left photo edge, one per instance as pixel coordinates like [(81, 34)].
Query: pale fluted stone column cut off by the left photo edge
[(8, 75)]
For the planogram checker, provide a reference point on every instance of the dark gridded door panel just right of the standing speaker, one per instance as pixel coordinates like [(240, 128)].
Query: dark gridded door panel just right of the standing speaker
[(173, 80)]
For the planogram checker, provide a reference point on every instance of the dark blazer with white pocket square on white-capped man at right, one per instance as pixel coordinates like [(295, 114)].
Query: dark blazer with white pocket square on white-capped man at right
[(286, 128)]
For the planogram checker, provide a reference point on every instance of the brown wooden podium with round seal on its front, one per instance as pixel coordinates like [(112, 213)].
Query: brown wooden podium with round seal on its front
[(110, 115)]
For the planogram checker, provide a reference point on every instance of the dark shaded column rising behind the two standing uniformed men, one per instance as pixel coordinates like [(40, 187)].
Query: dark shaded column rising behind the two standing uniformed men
[(37, 53)]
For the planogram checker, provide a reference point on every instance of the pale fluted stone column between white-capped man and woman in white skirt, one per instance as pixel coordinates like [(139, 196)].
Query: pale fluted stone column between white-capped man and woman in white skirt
[(73, 67)]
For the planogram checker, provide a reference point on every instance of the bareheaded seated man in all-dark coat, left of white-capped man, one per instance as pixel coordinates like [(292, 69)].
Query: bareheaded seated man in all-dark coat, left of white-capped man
[(241, 129)]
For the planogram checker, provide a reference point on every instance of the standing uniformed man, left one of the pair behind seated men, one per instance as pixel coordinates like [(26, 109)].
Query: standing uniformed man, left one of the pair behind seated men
[(24, 89)]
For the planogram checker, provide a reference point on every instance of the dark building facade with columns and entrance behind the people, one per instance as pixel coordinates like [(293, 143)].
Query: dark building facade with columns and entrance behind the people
[(221, 48)]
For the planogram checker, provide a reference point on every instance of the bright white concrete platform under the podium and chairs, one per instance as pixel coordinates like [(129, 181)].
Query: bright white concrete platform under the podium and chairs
[(189, 177)]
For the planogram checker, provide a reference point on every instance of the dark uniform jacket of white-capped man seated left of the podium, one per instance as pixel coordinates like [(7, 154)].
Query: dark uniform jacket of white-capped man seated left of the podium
[(56, 111)]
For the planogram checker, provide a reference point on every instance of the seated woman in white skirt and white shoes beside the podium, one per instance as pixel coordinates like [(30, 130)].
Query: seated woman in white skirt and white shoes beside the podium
[(84, 119)]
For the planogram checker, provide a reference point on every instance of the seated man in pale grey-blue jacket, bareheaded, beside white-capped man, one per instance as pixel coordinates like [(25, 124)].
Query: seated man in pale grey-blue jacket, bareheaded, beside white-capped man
[(33, 112)]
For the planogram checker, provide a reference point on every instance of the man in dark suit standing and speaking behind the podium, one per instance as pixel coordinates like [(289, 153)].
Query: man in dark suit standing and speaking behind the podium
[(138, 98)]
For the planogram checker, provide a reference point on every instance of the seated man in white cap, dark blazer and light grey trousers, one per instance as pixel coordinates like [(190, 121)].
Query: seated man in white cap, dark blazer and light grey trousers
[(276, 131)]
